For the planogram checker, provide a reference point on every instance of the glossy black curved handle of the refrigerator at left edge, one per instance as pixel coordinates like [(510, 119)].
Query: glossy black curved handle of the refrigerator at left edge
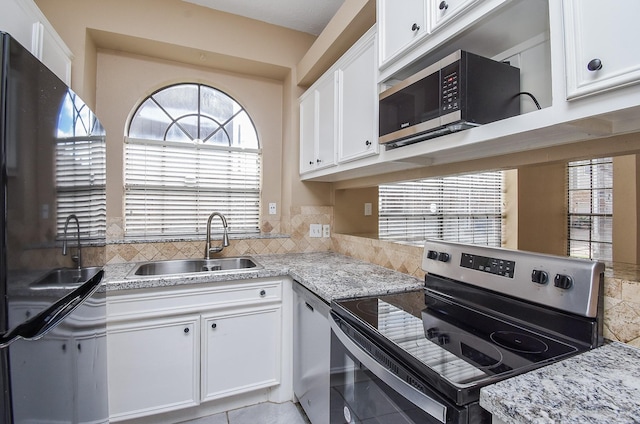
[(41, 323)]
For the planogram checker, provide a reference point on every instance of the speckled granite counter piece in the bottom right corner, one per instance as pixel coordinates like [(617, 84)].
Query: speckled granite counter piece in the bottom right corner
[(599, 386)]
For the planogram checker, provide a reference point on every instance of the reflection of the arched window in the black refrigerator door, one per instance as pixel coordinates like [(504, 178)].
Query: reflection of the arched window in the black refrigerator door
[(80, 169)]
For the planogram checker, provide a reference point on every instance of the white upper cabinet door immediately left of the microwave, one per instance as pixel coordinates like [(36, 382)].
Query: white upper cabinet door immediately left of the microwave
[(358, 105)]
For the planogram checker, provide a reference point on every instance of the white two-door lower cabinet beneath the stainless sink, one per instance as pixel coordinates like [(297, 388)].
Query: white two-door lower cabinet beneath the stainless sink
[(174, 348)]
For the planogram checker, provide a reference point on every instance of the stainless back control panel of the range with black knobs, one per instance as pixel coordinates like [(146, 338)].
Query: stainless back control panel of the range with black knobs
[(565, 283)]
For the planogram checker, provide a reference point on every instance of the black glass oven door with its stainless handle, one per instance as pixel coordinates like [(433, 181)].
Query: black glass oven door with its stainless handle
[(363, 390)]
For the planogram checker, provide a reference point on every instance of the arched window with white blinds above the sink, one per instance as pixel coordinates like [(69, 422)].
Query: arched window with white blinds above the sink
[(190, 150)]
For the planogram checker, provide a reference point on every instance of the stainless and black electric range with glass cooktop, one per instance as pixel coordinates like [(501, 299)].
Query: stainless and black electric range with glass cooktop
[(485, 314)]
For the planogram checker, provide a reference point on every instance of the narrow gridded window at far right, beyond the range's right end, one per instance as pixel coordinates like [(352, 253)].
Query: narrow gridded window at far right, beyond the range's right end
[(590, 204)]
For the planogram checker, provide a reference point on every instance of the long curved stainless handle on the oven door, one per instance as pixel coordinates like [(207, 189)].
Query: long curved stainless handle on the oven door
[(422, 401)]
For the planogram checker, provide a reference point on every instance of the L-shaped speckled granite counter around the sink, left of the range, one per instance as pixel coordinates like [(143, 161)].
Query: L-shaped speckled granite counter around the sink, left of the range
[(329, 275)]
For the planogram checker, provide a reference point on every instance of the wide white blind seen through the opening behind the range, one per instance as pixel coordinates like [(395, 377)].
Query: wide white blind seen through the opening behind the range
[(465, 208)]
